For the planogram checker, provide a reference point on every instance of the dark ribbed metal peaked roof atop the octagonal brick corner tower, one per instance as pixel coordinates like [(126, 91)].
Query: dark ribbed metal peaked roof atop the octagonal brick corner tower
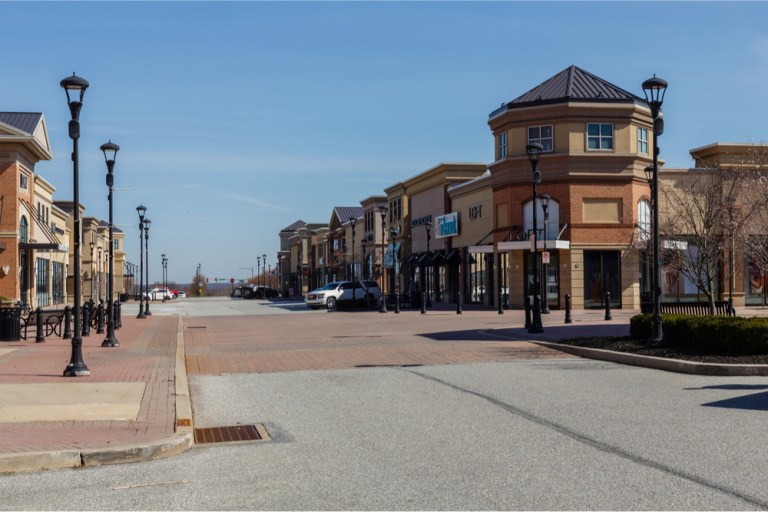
[(571, 84)]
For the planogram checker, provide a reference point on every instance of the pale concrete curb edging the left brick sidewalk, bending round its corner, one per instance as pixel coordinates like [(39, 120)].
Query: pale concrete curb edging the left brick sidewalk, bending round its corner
[(178, 443)]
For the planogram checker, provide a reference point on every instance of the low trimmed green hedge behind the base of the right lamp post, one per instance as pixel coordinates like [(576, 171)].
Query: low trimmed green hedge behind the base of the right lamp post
[(721, 335)]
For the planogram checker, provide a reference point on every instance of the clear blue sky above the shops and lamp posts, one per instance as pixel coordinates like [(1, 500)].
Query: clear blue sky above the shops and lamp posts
[(236, 119)]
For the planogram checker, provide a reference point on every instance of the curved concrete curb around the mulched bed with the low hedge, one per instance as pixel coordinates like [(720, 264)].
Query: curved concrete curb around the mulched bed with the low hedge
[(660, 363)]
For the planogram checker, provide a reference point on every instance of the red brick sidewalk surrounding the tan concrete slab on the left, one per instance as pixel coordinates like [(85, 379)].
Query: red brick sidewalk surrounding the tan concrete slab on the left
[(146, 354)]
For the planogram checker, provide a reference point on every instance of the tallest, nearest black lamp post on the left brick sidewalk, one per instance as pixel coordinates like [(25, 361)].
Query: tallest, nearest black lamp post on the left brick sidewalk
[(76, 85)]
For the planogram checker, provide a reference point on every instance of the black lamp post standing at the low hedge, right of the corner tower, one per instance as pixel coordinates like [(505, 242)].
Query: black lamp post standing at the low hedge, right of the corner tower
[(654, 89)]
